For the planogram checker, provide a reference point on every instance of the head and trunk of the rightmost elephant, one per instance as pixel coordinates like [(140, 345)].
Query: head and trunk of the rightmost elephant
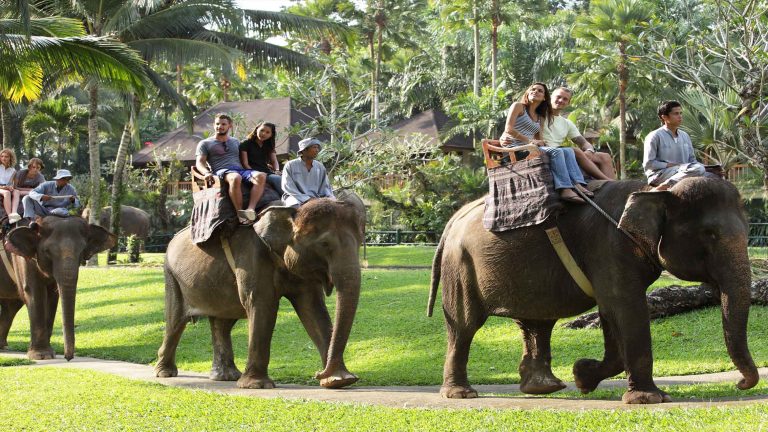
[(699, 233)]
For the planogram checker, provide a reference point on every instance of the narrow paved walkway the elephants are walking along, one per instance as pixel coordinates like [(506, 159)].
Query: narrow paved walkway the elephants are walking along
[(506, 396)]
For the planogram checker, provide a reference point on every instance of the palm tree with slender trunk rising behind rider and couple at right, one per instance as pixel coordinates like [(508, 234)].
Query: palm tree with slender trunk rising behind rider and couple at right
[(604, 38)]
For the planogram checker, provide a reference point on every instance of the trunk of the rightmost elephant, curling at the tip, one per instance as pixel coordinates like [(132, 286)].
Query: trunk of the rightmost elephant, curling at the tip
[(735, 301)]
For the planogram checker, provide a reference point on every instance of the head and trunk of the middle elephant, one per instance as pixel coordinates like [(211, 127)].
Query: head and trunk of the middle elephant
[(321, 248)]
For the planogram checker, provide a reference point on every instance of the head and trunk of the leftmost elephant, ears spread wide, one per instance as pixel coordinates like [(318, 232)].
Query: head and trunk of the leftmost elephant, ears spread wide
[(55, 247)]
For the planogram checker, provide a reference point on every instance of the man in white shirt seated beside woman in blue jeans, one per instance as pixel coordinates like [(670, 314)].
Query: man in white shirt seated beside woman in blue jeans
[(597, 165)]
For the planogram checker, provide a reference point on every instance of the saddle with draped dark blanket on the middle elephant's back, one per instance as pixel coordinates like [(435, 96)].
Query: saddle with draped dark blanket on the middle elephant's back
[(213, 210)]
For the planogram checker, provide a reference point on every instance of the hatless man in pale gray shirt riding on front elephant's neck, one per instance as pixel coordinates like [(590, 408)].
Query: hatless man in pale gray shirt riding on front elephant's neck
[(668, 155)]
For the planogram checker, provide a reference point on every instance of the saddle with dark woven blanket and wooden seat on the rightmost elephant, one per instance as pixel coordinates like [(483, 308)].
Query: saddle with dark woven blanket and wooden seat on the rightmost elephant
[(521, 190)]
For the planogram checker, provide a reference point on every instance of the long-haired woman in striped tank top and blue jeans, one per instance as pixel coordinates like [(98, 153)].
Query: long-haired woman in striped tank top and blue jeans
[(524, 123)]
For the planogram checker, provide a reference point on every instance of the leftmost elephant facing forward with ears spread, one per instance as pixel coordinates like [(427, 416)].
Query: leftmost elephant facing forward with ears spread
[(46, 256)]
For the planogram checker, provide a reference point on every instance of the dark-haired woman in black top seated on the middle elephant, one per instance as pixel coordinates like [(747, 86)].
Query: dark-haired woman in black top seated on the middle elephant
[(257, 152)]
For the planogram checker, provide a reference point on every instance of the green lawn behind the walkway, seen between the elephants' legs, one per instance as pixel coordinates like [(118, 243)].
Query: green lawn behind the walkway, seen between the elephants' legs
[(120, 316)]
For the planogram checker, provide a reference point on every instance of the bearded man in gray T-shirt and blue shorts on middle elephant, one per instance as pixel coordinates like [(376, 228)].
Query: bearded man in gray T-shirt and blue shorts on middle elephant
[(220, 155)]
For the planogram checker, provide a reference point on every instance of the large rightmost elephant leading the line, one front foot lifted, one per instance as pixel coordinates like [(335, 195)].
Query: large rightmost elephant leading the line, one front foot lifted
[(696, 230)]
